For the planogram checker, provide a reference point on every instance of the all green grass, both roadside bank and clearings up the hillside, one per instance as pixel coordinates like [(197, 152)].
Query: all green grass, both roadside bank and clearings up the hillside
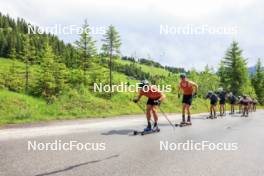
[(83, 103)]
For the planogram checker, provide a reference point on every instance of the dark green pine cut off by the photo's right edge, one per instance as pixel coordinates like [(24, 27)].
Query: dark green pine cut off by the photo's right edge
[(258, 82)]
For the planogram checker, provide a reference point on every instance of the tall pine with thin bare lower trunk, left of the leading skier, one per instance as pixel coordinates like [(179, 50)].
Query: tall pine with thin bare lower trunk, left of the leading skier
[(110, 48)]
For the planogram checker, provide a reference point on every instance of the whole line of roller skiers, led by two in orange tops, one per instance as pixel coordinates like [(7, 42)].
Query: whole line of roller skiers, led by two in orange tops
[(189, 90)]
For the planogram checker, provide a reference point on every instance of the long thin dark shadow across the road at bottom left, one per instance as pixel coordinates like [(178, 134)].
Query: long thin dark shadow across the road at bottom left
[(77, 165)]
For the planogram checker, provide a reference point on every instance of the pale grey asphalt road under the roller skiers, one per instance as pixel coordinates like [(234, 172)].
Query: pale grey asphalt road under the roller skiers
[(126, 154)]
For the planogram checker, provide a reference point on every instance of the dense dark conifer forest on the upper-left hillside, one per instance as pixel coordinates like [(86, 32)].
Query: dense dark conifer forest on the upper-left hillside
[(13, 32)]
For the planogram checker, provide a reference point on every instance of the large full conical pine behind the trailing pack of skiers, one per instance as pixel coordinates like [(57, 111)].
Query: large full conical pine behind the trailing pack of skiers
[(234, 72)]
